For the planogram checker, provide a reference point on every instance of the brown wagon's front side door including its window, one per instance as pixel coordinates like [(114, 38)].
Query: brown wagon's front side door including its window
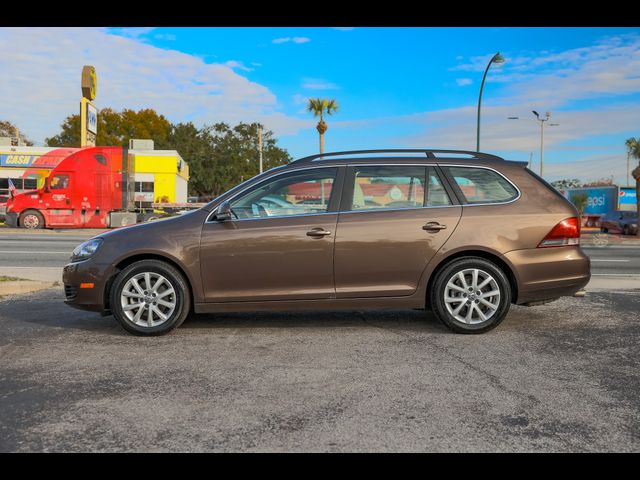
[(278, 244)]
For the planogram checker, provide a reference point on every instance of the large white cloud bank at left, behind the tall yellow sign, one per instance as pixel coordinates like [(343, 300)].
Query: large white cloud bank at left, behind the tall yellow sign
[(44, 87)]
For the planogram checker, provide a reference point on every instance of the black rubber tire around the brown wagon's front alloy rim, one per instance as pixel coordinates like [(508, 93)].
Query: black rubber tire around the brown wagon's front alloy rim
[(175, 278)]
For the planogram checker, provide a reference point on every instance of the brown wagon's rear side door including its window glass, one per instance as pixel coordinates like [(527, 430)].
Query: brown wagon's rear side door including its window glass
[(393, 219)]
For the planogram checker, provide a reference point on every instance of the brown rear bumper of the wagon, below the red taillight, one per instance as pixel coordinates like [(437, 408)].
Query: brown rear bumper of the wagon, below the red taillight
[(549, 273)]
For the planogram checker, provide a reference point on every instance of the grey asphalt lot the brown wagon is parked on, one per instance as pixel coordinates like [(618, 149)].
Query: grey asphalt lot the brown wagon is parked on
[(560, 377)]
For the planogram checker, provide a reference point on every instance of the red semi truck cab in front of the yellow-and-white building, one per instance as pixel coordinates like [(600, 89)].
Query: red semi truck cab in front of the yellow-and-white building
[(91, 188)]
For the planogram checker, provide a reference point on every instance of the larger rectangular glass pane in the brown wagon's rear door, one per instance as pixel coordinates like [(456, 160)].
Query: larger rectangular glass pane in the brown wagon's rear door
[(388, 187)]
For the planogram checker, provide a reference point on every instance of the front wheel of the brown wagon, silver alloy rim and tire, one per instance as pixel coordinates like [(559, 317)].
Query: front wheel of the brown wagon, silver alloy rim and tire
[(150, 297)]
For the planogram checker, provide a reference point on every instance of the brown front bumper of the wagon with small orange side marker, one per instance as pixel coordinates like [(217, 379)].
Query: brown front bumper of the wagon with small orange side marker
[(86, 272)]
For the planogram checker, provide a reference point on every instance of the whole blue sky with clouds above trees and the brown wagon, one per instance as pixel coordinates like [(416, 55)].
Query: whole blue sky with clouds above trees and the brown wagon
[(397, 87)]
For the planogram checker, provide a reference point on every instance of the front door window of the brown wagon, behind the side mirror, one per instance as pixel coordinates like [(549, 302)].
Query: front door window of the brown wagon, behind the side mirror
[(299, 193)]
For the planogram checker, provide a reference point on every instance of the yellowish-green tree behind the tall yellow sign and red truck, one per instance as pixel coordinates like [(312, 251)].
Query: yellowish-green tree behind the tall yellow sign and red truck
[(116, 128)]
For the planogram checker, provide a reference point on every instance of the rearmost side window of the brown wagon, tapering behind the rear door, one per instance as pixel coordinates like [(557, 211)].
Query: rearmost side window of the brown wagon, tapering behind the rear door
[(481, 185)]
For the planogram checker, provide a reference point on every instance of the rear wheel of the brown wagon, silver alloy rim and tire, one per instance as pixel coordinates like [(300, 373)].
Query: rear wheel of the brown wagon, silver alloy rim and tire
[(471, 295)]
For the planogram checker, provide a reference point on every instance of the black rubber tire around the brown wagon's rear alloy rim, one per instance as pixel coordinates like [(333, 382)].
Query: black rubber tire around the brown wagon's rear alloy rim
[(439, 306)]
